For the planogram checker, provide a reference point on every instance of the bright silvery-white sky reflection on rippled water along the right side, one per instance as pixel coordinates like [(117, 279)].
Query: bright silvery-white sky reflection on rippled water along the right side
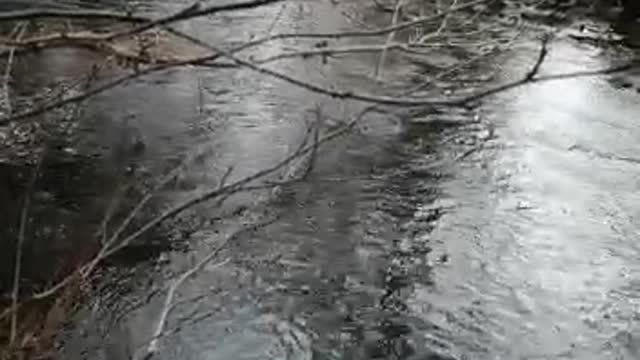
[(543, 259)]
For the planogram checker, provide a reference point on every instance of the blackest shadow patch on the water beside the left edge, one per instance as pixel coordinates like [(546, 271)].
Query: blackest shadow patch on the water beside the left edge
[(68, 203)]
